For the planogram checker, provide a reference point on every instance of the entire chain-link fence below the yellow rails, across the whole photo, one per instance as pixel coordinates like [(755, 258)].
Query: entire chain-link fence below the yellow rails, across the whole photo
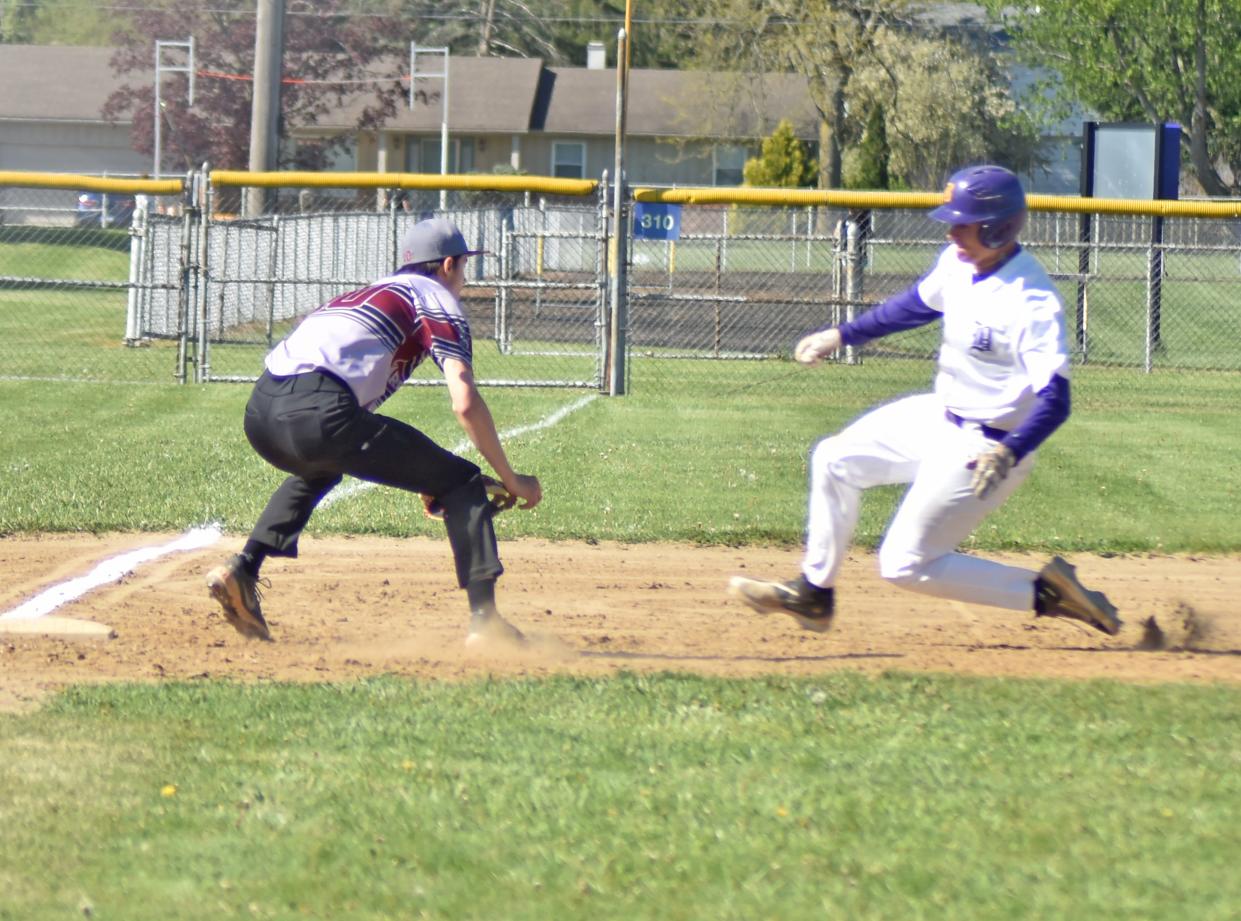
[(166, 287)]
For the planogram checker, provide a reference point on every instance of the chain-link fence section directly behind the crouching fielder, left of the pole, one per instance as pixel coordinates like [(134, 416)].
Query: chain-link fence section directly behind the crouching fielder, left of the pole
[(535, 300)]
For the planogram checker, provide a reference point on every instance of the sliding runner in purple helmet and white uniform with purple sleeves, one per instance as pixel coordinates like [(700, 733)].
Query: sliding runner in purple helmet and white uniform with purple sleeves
[(1001, 390)]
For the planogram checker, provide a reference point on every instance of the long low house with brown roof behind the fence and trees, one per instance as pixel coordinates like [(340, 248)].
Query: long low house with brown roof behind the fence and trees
[(514, 114)]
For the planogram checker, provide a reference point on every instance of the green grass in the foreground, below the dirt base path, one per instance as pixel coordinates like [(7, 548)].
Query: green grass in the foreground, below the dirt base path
[(636, 797)]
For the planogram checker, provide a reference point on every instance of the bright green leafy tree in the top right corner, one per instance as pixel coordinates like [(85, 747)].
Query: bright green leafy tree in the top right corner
[(1150, 61)]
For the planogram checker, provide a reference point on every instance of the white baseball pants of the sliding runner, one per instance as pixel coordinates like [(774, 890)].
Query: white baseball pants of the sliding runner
[(912, 441)]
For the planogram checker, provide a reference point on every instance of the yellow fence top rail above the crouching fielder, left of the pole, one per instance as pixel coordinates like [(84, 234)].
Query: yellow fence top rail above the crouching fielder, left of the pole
[(498, 183)]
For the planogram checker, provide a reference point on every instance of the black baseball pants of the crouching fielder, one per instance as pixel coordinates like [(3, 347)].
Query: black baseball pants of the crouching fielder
[(312, 428)]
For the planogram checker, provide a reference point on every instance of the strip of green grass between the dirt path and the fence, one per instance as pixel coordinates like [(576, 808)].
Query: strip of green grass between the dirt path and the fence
[(724, 462)]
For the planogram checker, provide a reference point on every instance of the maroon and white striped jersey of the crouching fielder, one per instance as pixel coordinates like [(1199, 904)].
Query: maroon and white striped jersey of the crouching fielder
[(374, 338)]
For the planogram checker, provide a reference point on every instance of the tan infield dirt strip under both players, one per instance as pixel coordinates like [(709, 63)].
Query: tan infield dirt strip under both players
[(352, 608)]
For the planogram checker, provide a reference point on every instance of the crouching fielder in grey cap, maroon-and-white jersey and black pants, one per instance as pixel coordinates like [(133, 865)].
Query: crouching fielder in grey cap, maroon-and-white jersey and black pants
[(312, 415)]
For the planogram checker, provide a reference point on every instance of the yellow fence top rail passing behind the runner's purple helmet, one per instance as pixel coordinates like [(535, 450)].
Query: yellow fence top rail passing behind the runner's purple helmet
[(807, 198)]
